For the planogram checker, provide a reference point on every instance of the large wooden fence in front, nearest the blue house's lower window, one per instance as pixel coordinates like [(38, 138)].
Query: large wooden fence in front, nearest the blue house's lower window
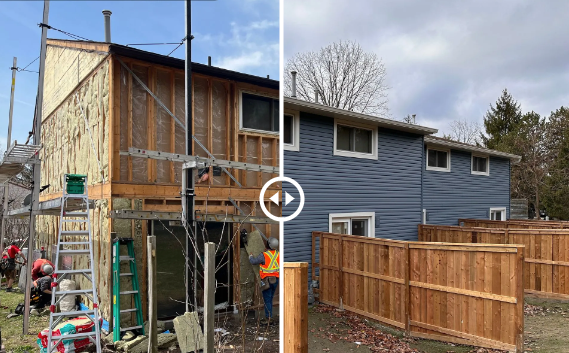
[(467, 294)]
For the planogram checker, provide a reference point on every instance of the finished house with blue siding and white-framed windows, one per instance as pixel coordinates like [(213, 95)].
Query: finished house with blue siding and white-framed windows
[(375, 177)]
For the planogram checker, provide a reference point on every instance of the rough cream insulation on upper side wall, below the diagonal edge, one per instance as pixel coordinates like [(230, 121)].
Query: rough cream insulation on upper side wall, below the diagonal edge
[(68, 147)]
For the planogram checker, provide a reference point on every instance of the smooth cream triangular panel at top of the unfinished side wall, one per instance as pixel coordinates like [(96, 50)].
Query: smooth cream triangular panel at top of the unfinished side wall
[(65, 68)]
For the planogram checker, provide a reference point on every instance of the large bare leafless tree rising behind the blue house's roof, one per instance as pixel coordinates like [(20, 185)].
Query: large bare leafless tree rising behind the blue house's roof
[(344, 76)]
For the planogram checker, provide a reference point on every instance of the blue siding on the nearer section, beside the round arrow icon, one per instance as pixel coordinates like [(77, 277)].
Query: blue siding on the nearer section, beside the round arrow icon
[(389, 186)]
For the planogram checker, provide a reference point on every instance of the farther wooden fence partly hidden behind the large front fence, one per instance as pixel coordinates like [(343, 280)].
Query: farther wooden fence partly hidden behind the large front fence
[(546, 272)]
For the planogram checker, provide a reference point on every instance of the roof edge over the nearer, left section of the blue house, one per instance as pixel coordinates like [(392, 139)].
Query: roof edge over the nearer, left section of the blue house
[(324, 110)]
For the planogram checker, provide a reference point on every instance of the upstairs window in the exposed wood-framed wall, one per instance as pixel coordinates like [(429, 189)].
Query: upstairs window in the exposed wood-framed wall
[(258, 113)]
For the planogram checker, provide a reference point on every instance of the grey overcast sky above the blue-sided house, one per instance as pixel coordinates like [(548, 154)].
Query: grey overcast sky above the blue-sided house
[(448, 60)]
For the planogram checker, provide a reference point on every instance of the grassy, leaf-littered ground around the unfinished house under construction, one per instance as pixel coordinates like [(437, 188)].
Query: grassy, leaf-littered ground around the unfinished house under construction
[(232, 336)]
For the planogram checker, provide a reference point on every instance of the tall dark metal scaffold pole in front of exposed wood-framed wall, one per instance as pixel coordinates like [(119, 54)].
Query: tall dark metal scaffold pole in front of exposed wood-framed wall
[(188, 182)]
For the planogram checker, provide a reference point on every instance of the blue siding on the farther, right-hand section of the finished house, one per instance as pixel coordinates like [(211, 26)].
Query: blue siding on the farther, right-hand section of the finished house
[(460, 194)]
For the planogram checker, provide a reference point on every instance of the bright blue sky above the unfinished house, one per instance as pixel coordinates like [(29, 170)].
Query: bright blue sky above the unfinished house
[(239, 35)]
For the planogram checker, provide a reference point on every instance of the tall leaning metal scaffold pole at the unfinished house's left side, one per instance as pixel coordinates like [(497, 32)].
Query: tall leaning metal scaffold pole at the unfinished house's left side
[(37, 167)]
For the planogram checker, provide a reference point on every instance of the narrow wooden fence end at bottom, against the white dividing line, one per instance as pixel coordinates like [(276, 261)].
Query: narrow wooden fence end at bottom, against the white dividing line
[(295, 307)]
